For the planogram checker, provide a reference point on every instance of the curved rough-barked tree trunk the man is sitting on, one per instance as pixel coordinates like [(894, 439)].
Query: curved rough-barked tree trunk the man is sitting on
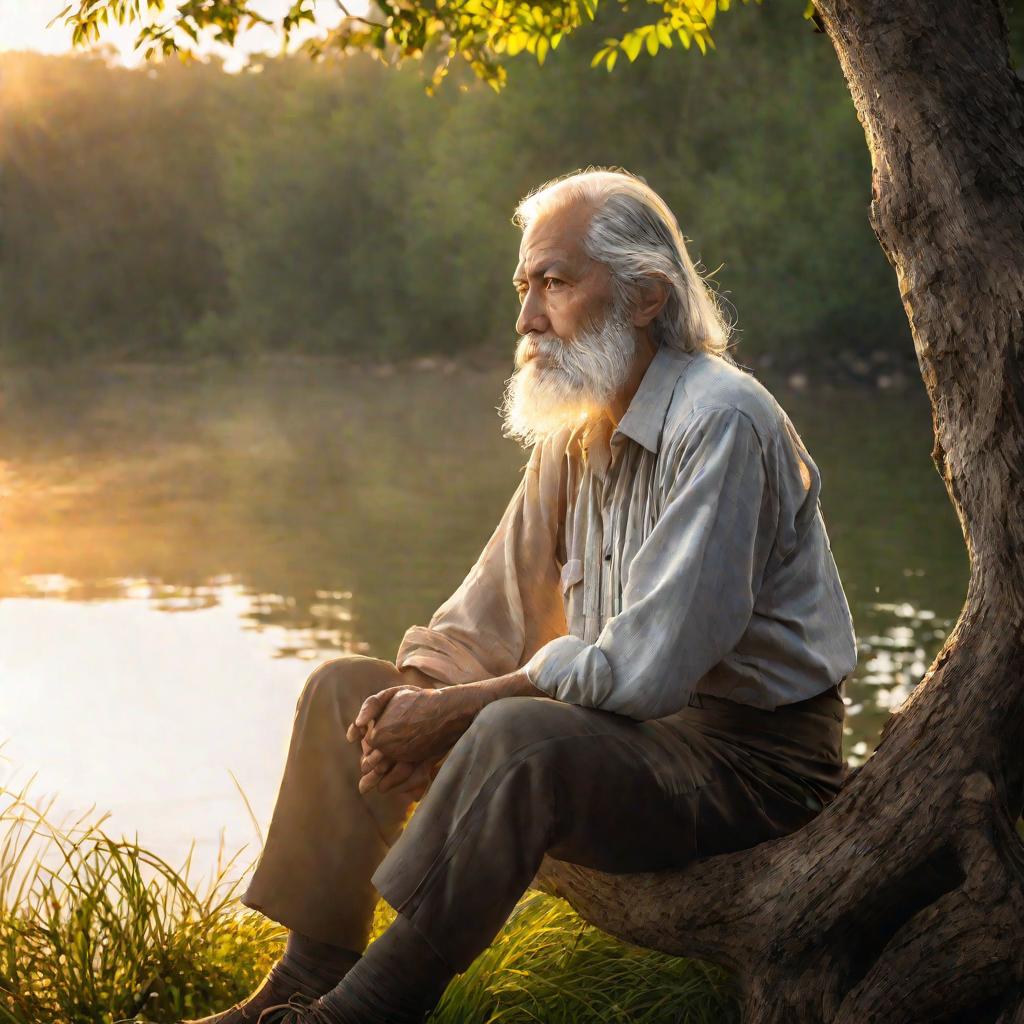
[(904, 902)]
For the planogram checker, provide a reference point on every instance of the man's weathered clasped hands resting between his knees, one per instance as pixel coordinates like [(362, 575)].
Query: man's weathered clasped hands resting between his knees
[(404, 732)]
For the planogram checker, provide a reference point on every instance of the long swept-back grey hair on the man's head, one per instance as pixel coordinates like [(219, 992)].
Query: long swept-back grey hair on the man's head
[(635, 235)]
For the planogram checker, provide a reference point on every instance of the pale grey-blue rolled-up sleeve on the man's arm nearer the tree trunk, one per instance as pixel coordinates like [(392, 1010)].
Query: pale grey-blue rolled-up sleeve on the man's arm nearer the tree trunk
[(692, 586)]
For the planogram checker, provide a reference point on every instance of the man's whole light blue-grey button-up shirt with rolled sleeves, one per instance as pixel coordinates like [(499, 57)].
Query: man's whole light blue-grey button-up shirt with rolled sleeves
[(681, 551)]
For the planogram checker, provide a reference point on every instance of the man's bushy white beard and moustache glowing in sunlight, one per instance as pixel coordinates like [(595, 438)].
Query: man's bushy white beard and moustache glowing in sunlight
[(572, 382)]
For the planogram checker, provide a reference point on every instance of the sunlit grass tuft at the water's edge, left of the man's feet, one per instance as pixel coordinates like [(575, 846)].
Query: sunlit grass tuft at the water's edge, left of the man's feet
[(96, 930)]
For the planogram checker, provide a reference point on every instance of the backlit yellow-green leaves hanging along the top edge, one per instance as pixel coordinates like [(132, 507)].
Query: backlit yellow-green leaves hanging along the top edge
[(482, 32)]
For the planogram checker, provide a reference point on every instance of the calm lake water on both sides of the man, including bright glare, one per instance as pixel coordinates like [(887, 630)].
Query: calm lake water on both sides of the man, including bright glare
[(182, 548)]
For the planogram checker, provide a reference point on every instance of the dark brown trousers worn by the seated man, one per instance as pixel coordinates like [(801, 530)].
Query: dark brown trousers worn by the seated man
[(530, 777)]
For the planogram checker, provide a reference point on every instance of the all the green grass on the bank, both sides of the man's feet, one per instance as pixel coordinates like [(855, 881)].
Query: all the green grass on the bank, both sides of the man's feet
[(96, 930)]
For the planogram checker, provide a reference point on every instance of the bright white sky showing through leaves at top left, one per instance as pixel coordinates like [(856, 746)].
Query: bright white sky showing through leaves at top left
[(24, 26)]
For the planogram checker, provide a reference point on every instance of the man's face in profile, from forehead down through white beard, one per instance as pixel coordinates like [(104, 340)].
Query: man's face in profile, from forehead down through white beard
[(576, 349)]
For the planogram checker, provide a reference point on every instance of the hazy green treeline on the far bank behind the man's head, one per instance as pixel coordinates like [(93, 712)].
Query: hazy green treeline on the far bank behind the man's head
[(335, 208)]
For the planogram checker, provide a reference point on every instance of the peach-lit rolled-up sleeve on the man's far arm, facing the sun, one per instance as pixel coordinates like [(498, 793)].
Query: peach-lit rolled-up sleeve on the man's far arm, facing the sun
[(509, 605)]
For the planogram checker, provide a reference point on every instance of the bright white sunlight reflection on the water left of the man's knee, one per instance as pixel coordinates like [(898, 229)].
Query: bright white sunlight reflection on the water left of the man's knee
[(116, 703)]
